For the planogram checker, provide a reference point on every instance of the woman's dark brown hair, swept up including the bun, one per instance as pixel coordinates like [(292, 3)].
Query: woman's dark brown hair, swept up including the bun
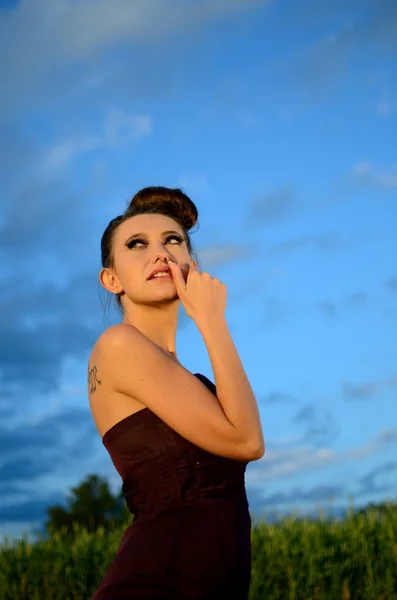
[(170, 202)]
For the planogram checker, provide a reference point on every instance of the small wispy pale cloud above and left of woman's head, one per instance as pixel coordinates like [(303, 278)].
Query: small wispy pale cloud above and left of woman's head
[(119, 129)]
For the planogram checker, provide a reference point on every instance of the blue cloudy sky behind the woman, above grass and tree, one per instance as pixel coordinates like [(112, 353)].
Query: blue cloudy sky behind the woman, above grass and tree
[(280, 122)]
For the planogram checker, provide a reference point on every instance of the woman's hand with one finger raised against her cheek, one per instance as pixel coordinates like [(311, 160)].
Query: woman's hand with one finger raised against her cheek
[(202, 296)]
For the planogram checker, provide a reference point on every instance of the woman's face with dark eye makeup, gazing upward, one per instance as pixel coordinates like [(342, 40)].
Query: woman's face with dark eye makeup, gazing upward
[(144, 243)]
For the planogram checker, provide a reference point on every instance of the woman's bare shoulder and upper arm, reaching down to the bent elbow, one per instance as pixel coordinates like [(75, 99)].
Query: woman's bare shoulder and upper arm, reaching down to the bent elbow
[(129, 365)]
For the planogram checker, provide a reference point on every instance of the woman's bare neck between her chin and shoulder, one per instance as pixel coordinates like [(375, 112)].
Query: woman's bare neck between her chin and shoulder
[(157, 322)]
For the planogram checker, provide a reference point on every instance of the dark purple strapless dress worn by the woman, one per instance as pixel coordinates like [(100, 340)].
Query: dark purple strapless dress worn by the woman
[(191, 536)]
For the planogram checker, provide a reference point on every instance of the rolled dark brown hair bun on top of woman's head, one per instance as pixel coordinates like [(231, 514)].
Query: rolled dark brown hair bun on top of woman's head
[(172, 202)]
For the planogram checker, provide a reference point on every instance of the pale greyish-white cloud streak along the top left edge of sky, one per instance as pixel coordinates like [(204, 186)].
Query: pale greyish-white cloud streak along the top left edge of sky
[(58, 31)]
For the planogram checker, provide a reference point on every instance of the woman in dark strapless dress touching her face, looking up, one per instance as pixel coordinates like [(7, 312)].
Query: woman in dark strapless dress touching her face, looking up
[(180, 444)]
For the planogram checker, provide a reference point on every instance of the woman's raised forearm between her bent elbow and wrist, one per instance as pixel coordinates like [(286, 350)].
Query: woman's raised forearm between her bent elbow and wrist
[(233, 388)]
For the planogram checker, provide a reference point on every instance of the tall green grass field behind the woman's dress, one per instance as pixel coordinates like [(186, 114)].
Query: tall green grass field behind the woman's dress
[(295, 559)]
